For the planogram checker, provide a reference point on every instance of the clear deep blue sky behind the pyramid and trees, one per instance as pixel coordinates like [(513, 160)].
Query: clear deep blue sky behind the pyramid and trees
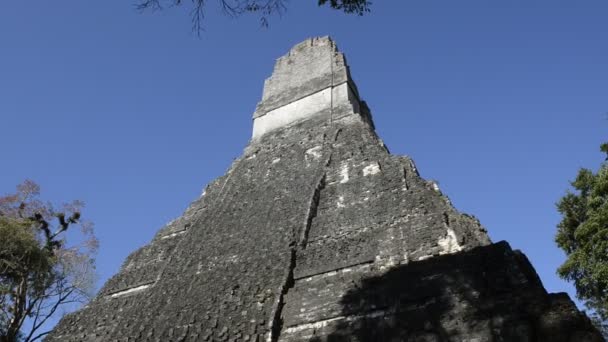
[(501, 102)]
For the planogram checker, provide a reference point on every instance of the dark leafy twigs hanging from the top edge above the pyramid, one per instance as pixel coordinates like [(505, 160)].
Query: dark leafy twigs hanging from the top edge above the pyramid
[(264, 8)]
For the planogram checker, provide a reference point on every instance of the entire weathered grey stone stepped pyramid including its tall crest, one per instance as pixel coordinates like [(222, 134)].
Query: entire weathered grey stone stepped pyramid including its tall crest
[(318, 233)]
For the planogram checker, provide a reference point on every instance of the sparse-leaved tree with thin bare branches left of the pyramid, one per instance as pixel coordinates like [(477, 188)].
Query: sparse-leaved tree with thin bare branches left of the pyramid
[(39, 272)]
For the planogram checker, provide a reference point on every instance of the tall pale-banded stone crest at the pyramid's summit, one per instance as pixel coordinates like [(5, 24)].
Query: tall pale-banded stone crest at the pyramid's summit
[(311, 80)]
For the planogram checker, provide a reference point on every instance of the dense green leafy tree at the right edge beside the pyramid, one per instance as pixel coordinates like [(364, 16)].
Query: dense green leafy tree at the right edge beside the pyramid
[(583, 235)]
